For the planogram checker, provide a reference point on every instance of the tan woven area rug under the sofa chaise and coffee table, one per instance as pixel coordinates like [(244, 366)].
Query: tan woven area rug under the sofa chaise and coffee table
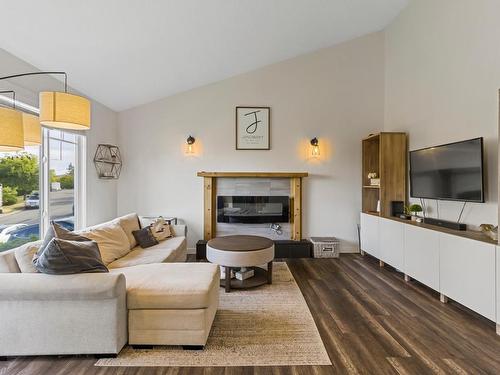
[(266, 326)]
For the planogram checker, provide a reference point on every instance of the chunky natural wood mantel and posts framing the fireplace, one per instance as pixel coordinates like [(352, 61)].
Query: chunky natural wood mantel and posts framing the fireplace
[(210, 198)]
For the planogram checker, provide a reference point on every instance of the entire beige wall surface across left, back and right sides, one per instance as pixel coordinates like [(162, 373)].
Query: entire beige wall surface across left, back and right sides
[(434, 72)]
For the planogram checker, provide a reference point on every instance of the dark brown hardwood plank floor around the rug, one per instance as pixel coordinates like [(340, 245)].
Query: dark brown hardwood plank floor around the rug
[(371, 322)]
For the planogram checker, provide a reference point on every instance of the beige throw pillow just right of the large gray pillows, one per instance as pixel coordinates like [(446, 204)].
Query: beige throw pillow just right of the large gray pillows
[(112, 240)]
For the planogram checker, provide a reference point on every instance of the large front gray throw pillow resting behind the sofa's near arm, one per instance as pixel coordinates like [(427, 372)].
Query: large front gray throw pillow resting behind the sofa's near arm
[(64, 257)]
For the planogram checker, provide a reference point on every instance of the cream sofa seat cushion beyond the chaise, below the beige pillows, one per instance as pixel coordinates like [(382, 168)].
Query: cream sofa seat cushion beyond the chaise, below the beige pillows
[(165, 251)]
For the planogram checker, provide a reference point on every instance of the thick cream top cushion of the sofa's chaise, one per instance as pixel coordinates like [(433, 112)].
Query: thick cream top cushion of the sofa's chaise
[(171, 285)]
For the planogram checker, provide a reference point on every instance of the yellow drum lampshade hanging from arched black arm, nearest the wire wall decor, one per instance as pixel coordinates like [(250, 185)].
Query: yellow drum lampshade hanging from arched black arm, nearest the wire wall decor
[(64, 111)]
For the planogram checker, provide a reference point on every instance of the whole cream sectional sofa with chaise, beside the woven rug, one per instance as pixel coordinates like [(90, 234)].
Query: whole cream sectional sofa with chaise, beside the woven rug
[(149, 297)]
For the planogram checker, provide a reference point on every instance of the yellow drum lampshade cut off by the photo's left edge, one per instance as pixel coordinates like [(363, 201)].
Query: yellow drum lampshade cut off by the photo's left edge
[(11, 130)]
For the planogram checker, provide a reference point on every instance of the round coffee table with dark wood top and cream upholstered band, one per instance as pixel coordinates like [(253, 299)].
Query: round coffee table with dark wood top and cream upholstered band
[(244, 252)]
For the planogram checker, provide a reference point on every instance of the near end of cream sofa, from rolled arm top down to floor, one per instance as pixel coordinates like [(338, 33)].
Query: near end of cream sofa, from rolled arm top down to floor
[(70, 314)]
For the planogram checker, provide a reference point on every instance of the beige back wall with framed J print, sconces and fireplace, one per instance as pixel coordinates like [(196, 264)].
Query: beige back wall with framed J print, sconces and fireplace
[(335, 94)]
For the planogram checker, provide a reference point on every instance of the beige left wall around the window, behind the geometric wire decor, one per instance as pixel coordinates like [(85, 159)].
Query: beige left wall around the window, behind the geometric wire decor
[(101, 194)]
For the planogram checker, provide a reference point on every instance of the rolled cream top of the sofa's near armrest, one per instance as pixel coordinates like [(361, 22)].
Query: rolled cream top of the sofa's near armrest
[(41, 287)]
